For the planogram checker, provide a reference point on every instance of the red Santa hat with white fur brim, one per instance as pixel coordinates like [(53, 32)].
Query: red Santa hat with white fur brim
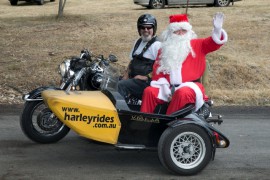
[(179, 21)]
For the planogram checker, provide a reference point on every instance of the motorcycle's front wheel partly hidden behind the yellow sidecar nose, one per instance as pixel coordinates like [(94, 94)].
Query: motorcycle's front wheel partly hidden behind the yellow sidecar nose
[(40, 125)]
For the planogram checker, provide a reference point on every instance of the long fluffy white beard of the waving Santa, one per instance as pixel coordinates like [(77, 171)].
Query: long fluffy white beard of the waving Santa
[(174, 52)]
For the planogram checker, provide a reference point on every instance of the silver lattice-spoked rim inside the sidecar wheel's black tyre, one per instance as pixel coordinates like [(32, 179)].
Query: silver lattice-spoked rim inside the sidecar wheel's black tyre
[(187, 150)]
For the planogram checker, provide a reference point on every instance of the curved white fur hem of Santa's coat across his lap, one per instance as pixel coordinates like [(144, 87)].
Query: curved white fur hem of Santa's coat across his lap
[(198, 92)]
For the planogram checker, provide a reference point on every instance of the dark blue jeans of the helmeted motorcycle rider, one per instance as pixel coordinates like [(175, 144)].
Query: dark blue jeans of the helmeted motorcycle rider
[(132, 87)]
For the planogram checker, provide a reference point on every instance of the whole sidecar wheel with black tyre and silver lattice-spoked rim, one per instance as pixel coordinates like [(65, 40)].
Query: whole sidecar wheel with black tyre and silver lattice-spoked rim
[(184, 149)]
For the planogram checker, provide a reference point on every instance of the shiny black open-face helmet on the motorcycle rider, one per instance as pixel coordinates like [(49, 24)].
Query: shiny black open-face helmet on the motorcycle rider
[(147, 19)]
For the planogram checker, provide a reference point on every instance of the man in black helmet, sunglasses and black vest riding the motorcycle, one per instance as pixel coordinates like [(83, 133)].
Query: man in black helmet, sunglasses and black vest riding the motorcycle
[(143, 54)]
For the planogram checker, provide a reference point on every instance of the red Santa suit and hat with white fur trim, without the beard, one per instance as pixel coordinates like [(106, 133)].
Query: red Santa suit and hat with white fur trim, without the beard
[(187, 89)]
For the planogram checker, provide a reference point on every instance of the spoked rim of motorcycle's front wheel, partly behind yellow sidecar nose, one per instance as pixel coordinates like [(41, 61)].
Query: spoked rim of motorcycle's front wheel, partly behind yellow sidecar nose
[(44, 121)]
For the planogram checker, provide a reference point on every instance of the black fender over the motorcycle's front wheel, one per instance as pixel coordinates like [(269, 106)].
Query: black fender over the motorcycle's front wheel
[(35, 95)]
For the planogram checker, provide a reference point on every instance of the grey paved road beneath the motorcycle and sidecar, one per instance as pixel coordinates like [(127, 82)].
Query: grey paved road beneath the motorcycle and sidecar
[(248, 156)]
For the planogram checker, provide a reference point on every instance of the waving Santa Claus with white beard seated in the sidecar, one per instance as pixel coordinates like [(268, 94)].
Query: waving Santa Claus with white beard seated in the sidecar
[(180, 64)]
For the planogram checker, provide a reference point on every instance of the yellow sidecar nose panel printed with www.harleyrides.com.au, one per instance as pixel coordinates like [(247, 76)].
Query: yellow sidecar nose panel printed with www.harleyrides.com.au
[(89, 113)]
